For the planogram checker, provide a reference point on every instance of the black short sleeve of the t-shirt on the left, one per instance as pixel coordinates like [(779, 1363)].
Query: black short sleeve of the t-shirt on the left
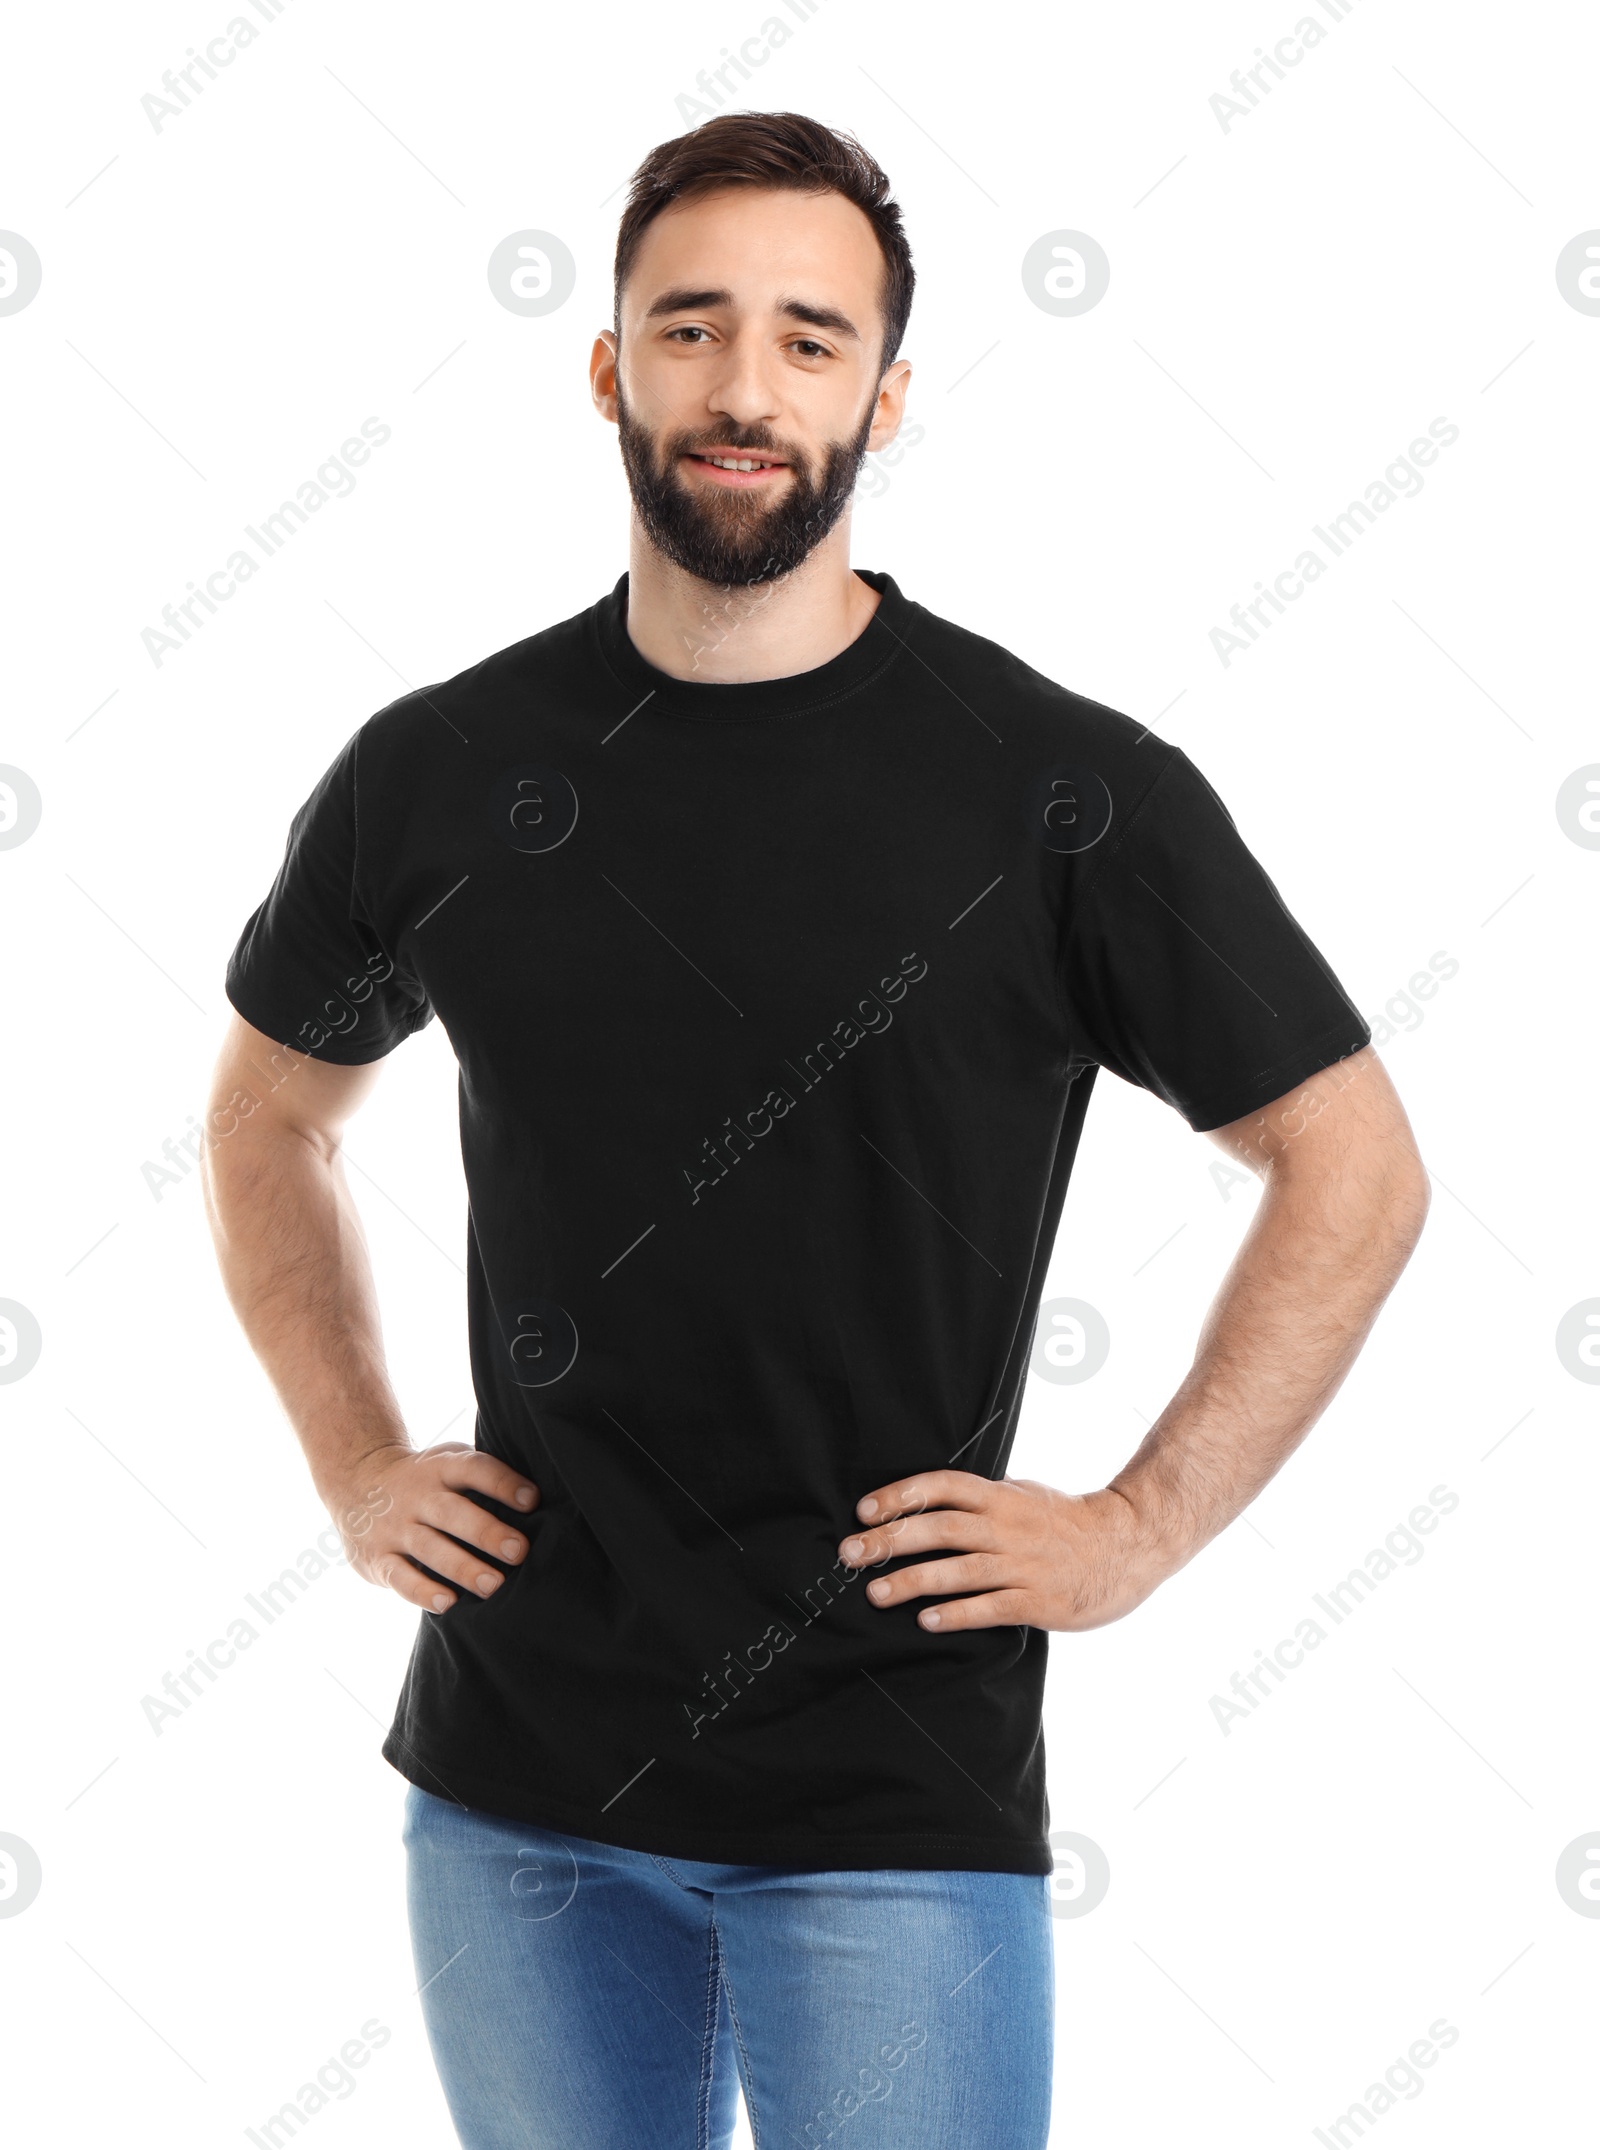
[(309, 966)]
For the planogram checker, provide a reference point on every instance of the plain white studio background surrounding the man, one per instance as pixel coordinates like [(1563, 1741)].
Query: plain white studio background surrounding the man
[(1291, 302)]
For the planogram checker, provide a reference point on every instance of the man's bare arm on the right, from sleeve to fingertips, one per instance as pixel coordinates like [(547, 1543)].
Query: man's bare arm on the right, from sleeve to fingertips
[(1343, 1205)]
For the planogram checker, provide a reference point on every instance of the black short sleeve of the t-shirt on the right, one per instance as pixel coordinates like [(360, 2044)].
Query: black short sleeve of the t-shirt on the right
[(1184, 971)]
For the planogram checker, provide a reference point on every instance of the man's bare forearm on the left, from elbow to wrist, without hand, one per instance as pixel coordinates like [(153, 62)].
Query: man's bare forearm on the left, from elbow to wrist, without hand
[(296, 1267)]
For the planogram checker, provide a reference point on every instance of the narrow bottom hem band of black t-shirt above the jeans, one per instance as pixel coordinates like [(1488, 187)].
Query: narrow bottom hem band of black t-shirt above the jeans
[(771, 1848)]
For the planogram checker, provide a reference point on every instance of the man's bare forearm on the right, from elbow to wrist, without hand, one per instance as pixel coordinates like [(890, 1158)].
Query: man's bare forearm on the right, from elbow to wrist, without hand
[(1317, 1263)]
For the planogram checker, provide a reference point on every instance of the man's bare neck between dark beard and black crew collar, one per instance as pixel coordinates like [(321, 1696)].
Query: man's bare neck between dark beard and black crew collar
[(734, 633)]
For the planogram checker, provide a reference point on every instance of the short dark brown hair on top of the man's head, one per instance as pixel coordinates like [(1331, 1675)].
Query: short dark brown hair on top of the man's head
[(771, 149)]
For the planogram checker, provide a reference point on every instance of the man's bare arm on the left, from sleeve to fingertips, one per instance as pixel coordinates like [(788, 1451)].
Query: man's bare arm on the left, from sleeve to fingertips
[(296, 1267)]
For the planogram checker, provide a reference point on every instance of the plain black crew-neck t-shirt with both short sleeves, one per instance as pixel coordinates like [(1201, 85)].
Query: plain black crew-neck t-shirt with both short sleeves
[(777, 1009)]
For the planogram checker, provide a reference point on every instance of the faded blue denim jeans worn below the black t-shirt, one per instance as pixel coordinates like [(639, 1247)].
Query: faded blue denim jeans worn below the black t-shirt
[(588, 1998)]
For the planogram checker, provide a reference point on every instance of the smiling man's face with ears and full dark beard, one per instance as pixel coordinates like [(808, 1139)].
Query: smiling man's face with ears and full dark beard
[(749, 332)]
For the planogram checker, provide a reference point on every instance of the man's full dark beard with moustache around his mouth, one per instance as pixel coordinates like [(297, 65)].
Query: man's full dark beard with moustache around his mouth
[(734, 536)]
